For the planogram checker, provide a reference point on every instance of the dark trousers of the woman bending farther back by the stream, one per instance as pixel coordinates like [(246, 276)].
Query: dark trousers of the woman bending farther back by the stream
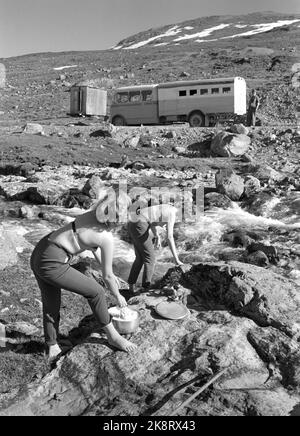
[(144, 252)]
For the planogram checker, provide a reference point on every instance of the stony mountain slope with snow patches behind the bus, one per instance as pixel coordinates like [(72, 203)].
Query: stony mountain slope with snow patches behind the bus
[(38, 84)]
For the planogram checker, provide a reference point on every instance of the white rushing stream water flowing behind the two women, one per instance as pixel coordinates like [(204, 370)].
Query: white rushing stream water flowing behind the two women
[(279, 225)]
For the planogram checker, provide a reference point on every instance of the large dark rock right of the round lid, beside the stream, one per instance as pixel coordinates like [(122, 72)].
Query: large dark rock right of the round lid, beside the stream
[(263, 296)]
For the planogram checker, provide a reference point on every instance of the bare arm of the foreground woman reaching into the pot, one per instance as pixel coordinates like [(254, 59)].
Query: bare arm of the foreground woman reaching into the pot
[(104, 256)]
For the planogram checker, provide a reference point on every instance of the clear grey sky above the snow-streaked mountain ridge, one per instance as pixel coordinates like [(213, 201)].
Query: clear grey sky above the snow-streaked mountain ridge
[(30, 26)]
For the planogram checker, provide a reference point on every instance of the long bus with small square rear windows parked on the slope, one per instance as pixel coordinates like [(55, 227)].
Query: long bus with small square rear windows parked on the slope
[(198, 102)]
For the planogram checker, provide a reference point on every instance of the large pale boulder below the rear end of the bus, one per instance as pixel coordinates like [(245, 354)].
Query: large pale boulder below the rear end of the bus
[(227, 144)]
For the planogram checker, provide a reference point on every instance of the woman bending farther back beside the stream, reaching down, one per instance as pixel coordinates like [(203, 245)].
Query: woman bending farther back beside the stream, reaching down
[(142, 228)]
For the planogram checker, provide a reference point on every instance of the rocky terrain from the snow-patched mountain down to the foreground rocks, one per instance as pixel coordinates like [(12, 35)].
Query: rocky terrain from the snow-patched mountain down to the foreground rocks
[(241, 278)]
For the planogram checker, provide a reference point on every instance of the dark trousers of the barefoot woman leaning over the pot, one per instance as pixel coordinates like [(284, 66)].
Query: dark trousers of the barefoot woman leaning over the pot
[(50, 264)]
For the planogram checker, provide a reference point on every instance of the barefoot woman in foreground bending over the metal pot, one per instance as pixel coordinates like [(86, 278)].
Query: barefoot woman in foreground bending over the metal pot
[(50, 262)]
